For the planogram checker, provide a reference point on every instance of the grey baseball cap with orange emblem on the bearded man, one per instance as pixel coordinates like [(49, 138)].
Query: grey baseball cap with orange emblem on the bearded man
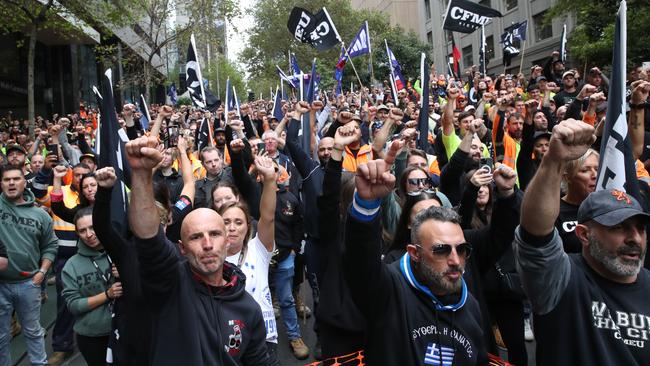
[(609, 207)]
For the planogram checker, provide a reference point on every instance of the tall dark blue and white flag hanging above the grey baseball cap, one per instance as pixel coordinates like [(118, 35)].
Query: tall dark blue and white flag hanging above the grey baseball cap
[(616, 168)]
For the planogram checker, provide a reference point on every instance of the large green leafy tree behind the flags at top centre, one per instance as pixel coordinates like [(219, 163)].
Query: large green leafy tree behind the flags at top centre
[(270, 42)]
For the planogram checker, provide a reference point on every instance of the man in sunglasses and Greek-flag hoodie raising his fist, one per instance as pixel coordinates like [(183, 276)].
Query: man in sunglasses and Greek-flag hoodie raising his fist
[(418, 309)]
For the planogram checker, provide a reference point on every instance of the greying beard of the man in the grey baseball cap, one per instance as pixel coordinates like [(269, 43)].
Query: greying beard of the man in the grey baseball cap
[(612, 262)]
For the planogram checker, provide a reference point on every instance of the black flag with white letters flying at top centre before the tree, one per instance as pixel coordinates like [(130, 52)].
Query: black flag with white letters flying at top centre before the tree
[(316, 29)]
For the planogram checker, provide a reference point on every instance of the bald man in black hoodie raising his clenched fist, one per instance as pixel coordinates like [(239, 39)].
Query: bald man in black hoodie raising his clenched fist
[(202, 314)]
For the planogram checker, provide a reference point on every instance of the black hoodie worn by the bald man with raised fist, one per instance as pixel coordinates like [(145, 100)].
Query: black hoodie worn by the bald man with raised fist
[(194, 323)]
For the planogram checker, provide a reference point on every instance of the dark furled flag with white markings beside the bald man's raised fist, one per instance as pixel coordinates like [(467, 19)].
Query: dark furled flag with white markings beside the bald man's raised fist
[(112, 139)]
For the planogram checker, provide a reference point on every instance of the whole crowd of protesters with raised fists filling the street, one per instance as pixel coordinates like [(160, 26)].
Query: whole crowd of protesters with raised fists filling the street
[(457, 254)]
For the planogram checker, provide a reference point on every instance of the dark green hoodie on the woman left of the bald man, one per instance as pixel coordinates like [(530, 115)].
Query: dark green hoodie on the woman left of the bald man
[(81, 280)]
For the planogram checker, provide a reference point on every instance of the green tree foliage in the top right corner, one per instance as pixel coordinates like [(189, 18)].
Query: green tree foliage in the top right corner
[(592, 39)]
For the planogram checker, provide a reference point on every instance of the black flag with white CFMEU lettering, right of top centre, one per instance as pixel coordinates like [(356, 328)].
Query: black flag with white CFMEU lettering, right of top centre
[(465, 16)]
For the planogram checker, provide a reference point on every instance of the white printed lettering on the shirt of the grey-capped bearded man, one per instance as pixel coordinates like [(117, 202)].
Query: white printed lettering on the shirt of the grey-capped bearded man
[(630, 328)]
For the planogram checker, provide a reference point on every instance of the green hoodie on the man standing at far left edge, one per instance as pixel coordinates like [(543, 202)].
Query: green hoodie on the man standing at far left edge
[(27, 233)]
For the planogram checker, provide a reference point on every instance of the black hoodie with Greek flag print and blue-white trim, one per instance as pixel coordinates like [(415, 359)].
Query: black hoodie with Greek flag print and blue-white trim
[(407, 324)]
